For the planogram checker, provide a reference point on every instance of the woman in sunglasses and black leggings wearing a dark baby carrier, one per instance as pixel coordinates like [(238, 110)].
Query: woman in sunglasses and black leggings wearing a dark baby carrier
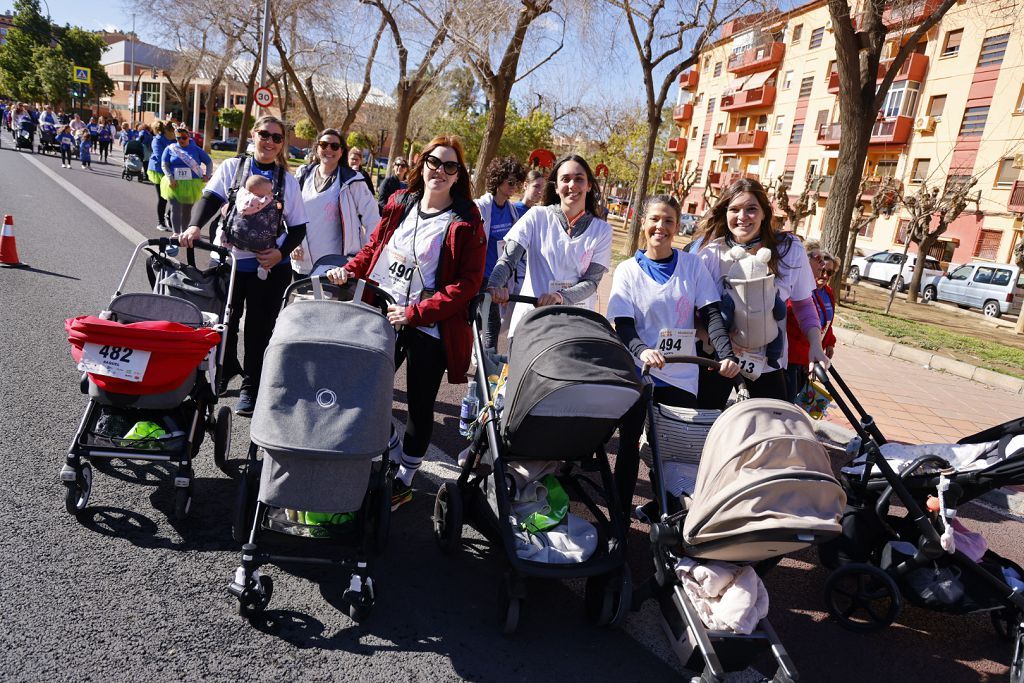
[(261, 297)]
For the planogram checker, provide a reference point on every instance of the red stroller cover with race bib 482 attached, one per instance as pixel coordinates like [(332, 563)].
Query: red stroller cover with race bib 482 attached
[(174, 351)]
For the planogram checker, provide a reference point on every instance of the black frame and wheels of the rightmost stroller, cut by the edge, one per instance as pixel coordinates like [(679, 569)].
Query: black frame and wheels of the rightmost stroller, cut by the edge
[(876, 494)]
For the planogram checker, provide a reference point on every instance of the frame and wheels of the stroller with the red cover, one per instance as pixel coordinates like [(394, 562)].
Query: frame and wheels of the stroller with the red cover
[(77, 472)]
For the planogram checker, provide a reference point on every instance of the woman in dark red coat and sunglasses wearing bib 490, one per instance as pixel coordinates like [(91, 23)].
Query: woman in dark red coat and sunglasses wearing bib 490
[(429, 253)]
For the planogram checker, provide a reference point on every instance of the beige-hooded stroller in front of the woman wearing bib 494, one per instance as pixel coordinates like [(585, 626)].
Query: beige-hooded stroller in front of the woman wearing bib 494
[(763, 489)]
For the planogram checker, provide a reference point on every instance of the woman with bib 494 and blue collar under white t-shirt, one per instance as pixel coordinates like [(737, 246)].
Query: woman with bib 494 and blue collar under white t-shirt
[(655, 298)]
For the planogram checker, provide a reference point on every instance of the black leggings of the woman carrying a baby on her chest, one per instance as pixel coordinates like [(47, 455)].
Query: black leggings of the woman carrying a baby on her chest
[(262, 301)]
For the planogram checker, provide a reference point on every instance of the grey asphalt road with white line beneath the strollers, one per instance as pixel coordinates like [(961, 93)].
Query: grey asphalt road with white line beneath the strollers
[(127, 595)]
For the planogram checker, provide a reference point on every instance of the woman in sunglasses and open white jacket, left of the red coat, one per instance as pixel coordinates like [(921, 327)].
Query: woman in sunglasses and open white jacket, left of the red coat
[(340, 208)]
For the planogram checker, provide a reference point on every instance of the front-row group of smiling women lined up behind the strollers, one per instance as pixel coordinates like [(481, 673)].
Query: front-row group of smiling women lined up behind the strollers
[(432, 249)]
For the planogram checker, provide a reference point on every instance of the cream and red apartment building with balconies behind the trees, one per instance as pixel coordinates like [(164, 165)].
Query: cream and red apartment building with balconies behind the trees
[(763, 103)]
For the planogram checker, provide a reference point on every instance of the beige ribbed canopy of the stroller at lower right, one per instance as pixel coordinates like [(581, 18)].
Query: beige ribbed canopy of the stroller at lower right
[(765, 483)]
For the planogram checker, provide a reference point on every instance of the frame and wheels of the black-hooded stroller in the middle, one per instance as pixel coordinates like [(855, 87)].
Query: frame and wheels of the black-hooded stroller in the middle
[(609, 588)]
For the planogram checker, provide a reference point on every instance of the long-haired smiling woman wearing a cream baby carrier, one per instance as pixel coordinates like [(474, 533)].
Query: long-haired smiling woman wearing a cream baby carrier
[(743, 217)]
